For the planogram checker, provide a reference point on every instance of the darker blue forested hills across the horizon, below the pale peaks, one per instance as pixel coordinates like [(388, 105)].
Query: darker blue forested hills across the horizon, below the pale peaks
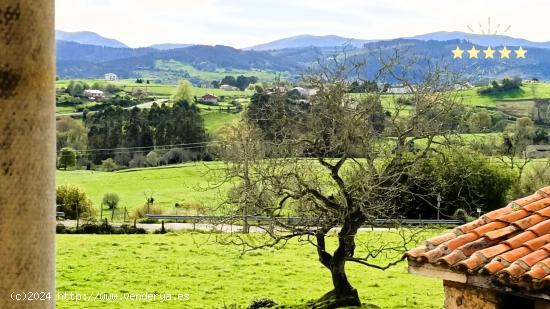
[(86, 61)]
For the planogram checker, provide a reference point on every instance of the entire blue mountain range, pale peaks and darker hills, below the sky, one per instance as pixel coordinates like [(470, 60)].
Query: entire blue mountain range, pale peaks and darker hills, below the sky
[(88, 55)]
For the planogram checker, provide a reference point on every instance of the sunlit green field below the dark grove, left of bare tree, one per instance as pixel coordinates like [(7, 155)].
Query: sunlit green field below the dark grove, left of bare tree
[(184, 184)]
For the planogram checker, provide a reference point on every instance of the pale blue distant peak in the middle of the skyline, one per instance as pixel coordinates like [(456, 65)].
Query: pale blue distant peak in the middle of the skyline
[(310, 41)]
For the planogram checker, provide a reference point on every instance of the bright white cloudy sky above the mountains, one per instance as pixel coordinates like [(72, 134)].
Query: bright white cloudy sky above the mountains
[(245, 23)]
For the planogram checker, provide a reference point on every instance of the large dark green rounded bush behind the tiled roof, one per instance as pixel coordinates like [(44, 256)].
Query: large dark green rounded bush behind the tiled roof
[(464, 180)]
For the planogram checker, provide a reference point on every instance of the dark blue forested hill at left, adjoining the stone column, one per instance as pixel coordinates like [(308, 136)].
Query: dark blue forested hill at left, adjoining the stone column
[(86, 61)]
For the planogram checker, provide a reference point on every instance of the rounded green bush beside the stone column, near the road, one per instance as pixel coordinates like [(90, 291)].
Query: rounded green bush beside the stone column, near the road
[(68, 198)]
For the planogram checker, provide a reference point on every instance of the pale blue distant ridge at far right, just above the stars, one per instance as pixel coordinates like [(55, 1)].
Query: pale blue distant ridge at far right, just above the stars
[(485, 40)]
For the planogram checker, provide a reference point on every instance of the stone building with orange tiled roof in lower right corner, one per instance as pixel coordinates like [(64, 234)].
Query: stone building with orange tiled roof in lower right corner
[(499, 261)]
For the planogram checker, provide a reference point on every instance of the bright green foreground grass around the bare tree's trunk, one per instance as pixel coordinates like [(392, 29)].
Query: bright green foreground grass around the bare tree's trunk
[(215, 275)]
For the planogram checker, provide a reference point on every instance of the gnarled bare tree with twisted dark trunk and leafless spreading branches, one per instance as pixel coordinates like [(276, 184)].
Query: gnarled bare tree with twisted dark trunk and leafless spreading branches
[(336, 161)]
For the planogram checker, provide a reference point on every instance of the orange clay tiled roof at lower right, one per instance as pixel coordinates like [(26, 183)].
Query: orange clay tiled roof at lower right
[(510, 244)]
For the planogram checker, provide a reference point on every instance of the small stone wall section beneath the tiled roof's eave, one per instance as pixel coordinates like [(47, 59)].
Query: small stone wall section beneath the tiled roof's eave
[(462, 296)]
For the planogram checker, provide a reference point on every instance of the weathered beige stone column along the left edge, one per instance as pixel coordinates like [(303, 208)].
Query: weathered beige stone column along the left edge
[(27, 153)]
